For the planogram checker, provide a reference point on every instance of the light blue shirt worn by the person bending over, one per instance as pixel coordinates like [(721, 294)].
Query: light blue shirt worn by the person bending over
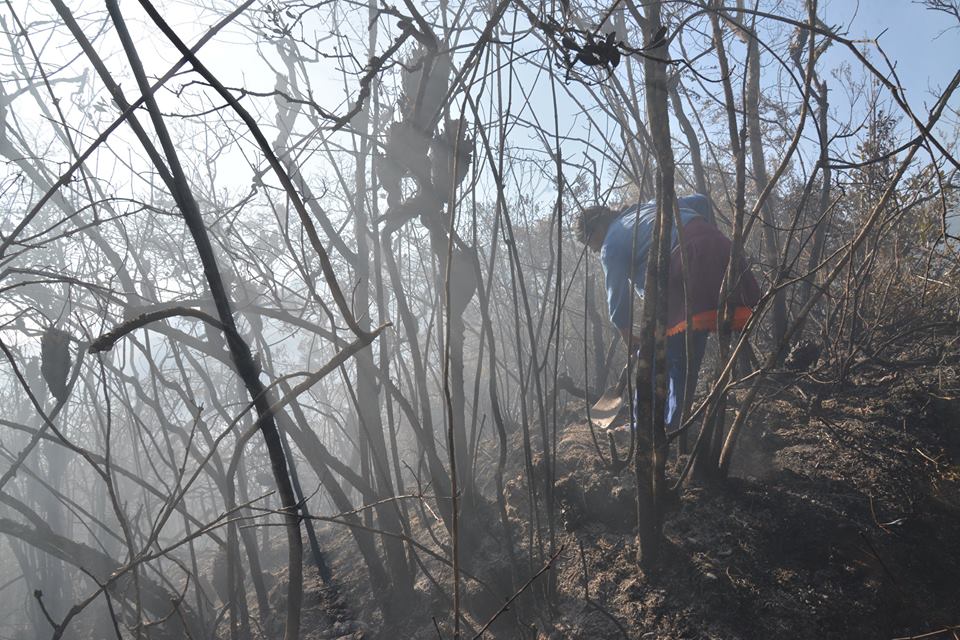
[(618, 247)]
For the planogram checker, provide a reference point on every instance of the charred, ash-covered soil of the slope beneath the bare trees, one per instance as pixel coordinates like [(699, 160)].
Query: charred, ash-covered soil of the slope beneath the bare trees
[(841, 520)]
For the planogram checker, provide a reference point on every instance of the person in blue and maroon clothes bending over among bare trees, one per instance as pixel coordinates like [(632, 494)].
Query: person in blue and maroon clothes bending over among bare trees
[(623, 240)]
